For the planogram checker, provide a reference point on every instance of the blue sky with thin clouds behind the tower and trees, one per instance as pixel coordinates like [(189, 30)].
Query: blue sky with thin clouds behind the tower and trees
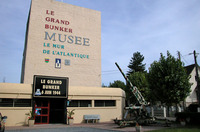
[(150, 27)]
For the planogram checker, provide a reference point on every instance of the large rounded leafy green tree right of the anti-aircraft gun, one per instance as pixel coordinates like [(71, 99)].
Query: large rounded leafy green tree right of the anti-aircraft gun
[(168, 80)]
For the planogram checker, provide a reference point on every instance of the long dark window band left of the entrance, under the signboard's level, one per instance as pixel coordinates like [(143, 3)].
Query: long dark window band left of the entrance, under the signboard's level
[(15, 102)]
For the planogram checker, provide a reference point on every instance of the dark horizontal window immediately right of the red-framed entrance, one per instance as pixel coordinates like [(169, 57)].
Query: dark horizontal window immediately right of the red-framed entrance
[(80, 103)]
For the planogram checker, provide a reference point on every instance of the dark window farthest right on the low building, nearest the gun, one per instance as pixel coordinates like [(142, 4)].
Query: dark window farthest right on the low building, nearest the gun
[(104, 103)]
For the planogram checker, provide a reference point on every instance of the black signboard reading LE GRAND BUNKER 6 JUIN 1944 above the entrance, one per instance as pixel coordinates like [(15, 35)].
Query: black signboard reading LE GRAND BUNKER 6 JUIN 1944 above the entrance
[(50, 87)]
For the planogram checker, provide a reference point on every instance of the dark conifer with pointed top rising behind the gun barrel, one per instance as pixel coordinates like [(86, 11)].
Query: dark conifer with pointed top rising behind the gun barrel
[(136, 64)]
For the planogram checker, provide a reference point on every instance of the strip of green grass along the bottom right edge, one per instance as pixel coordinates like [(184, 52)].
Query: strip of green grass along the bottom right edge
[(178, 130)]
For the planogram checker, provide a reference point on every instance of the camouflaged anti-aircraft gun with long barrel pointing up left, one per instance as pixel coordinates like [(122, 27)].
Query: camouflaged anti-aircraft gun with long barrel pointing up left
[(140, 114)]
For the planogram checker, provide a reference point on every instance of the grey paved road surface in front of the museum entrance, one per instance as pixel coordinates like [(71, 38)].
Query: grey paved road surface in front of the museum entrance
[(67, 129)]
